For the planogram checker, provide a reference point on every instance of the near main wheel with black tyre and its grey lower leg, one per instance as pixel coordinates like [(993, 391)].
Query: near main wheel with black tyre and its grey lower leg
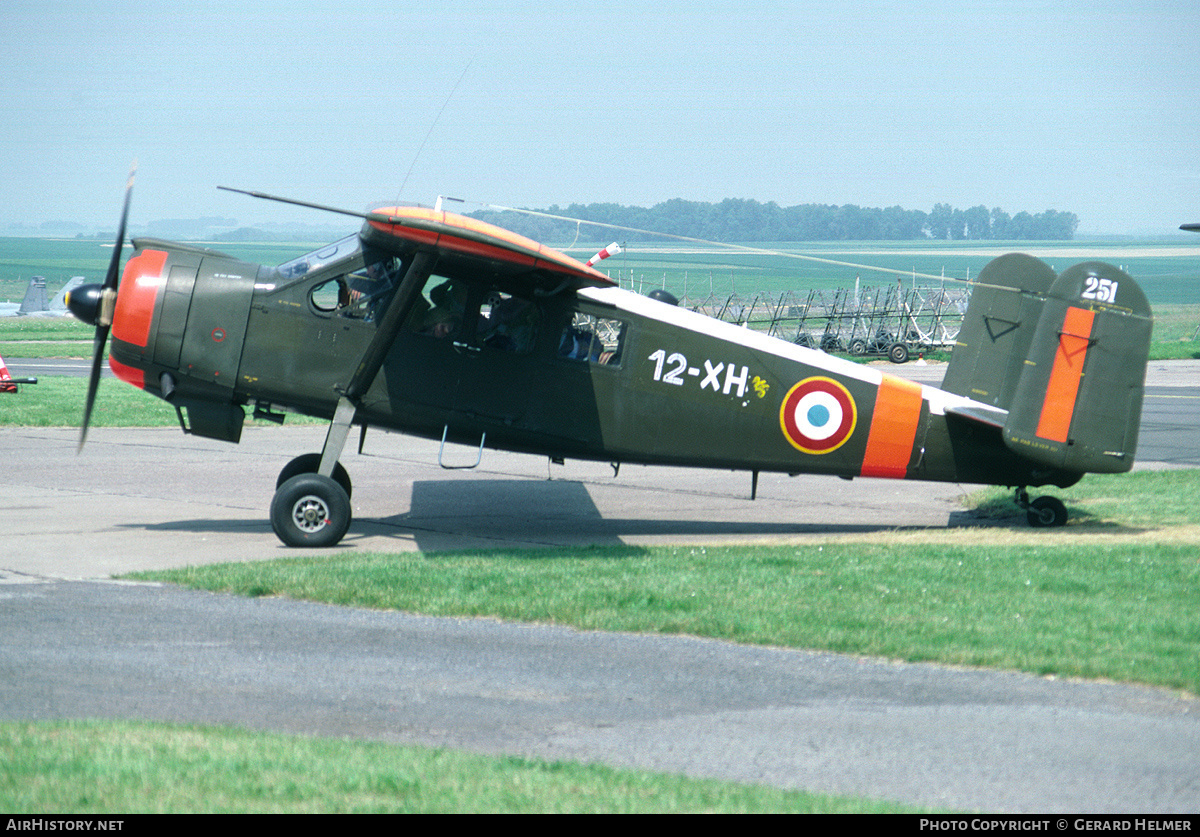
[(311, 507)]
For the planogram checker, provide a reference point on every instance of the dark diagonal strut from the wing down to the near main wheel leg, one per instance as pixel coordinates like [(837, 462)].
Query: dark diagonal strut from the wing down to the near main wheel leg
[(373, 360)]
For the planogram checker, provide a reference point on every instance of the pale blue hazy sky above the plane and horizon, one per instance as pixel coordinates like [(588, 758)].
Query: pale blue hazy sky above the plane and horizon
[(1024, 105)]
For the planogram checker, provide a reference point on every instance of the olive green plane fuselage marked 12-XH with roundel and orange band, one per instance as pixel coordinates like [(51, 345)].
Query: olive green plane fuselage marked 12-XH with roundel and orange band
[(652, 383)]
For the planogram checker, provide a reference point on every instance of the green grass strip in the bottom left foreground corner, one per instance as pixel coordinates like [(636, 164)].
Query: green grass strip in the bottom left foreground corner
[(142, 768)]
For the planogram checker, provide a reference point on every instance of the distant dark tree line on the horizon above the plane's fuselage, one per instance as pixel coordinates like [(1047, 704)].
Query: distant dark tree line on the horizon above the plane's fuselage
[(739, 220)]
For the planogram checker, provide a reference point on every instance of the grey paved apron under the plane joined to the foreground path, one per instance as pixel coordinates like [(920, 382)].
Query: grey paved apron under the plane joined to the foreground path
[(76, 646)]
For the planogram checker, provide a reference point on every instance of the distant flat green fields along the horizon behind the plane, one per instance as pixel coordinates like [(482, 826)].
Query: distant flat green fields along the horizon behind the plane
[(1167, 270)]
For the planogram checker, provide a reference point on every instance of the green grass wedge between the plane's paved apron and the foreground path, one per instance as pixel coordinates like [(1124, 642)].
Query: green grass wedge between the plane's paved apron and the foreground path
[(1072, 603)]
